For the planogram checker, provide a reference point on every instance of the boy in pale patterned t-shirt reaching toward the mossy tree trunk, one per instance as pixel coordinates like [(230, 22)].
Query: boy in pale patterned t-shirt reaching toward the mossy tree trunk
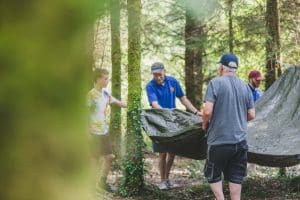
[(98, 101)]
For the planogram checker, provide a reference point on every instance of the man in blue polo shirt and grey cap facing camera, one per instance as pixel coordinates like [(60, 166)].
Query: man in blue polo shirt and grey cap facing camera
[(162, 91)]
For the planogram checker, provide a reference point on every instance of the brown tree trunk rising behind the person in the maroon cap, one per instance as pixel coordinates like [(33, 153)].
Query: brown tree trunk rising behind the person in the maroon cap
[(272, 41)]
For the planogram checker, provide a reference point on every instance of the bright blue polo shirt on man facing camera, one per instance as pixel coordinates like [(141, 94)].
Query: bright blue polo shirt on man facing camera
[(165, 94)]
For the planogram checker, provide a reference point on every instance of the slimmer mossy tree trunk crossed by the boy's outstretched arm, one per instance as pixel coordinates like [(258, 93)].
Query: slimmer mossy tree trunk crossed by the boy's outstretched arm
[(115, 117)]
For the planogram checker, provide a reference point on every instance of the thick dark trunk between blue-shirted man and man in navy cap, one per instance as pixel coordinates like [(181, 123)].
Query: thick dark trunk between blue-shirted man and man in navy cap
[(194, 39)]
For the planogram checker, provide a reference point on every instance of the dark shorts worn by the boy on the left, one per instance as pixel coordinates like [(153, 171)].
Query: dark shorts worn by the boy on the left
[(100, 145)]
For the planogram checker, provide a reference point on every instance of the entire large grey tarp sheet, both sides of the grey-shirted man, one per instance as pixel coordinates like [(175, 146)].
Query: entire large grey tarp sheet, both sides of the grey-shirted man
[(273, 137)]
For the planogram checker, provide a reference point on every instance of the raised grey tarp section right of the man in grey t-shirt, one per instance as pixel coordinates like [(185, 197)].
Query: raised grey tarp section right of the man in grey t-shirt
[(274, 135)]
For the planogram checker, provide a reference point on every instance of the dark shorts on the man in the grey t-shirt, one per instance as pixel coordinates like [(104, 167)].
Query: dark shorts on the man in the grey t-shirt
[(229, 159)]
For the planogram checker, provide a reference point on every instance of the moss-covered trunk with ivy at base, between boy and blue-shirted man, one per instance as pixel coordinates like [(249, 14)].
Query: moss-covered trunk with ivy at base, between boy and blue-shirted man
[(133, 164)]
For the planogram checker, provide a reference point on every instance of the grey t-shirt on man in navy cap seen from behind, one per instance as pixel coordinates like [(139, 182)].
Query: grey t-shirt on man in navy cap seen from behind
[(232, 98)]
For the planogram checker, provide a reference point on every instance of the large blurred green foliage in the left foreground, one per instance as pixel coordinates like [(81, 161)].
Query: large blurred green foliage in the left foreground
[(44, 64)]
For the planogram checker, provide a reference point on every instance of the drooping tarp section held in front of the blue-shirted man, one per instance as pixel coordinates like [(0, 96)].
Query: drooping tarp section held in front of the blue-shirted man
[(177, 130)]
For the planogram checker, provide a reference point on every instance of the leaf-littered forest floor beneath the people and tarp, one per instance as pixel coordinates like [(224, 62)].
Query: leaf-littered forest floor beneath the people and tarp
[(188, 174)]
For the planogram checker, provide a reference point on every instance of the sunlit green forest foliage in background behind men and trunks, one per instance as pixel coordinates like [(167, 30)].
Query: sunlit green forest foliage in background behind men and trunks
[(162, 37)]
